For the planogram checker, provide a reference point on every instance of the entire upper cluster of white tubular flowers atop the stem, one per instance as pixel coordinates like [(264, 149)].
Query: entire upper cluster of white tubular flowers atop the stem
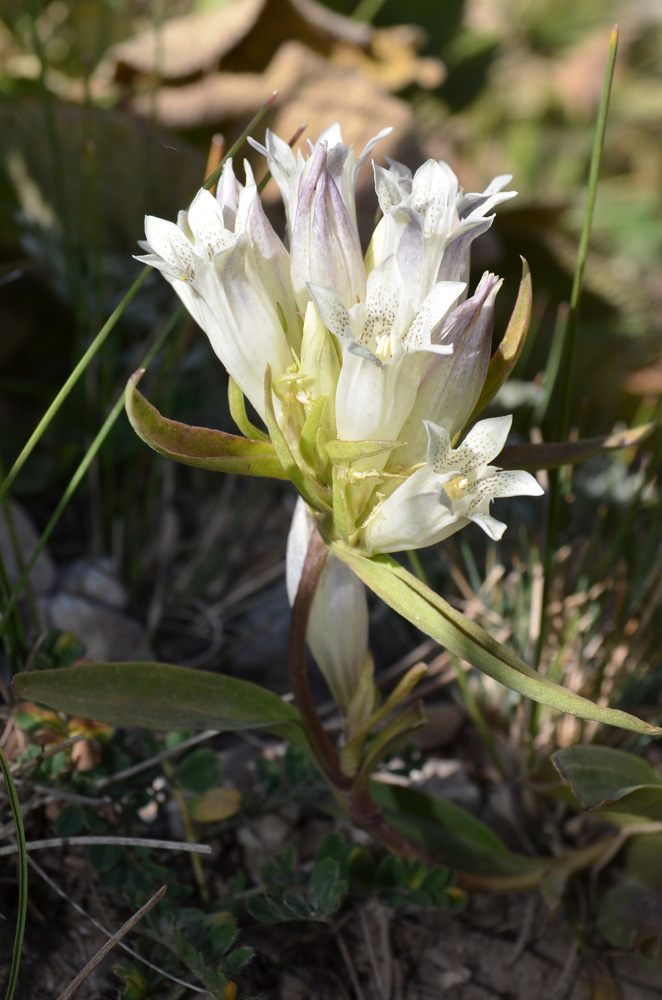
[(377, 361)]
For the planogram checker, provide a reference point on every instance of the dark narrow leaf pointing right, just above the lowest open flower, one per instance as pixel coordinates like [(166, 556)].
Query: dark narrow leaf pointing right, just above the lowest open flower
[(554, 454)]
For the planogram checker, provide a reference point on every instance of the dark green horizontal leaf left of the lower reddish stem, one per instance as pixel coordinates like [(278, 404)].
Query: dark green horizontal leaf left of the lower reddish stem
[(161, 696)]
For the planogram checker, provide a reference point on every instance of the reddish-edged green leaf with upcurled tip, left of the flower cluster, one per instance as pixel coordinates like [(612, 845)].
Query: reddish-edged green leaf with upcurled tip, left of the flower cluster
[(201, 447)]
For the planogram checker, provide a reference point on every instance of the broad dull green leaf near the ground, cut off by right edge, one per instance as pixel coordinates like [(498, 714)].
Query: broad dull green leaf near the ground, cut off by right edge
[(606, 779)]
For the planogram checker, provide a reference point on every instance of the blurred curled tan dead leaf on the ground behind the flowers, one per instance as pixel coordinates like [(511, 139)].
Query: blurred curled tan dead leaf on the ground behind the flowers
[(222, 63)]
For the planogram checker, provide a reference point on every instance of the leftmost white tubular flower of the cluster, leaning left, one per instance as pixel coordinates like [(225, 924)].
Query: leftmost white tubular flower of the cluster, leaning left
[(233, 275)]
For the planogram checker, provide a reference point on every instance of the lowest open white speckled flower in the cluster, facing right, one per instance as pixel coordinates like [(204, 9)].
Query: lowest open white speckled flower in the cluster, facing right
[(454, 487)]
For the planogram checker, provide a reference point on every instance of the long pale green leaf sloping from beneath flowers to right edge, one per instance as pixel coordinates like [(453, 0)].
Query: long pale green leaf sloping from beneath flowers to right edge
[(434, 616)]
